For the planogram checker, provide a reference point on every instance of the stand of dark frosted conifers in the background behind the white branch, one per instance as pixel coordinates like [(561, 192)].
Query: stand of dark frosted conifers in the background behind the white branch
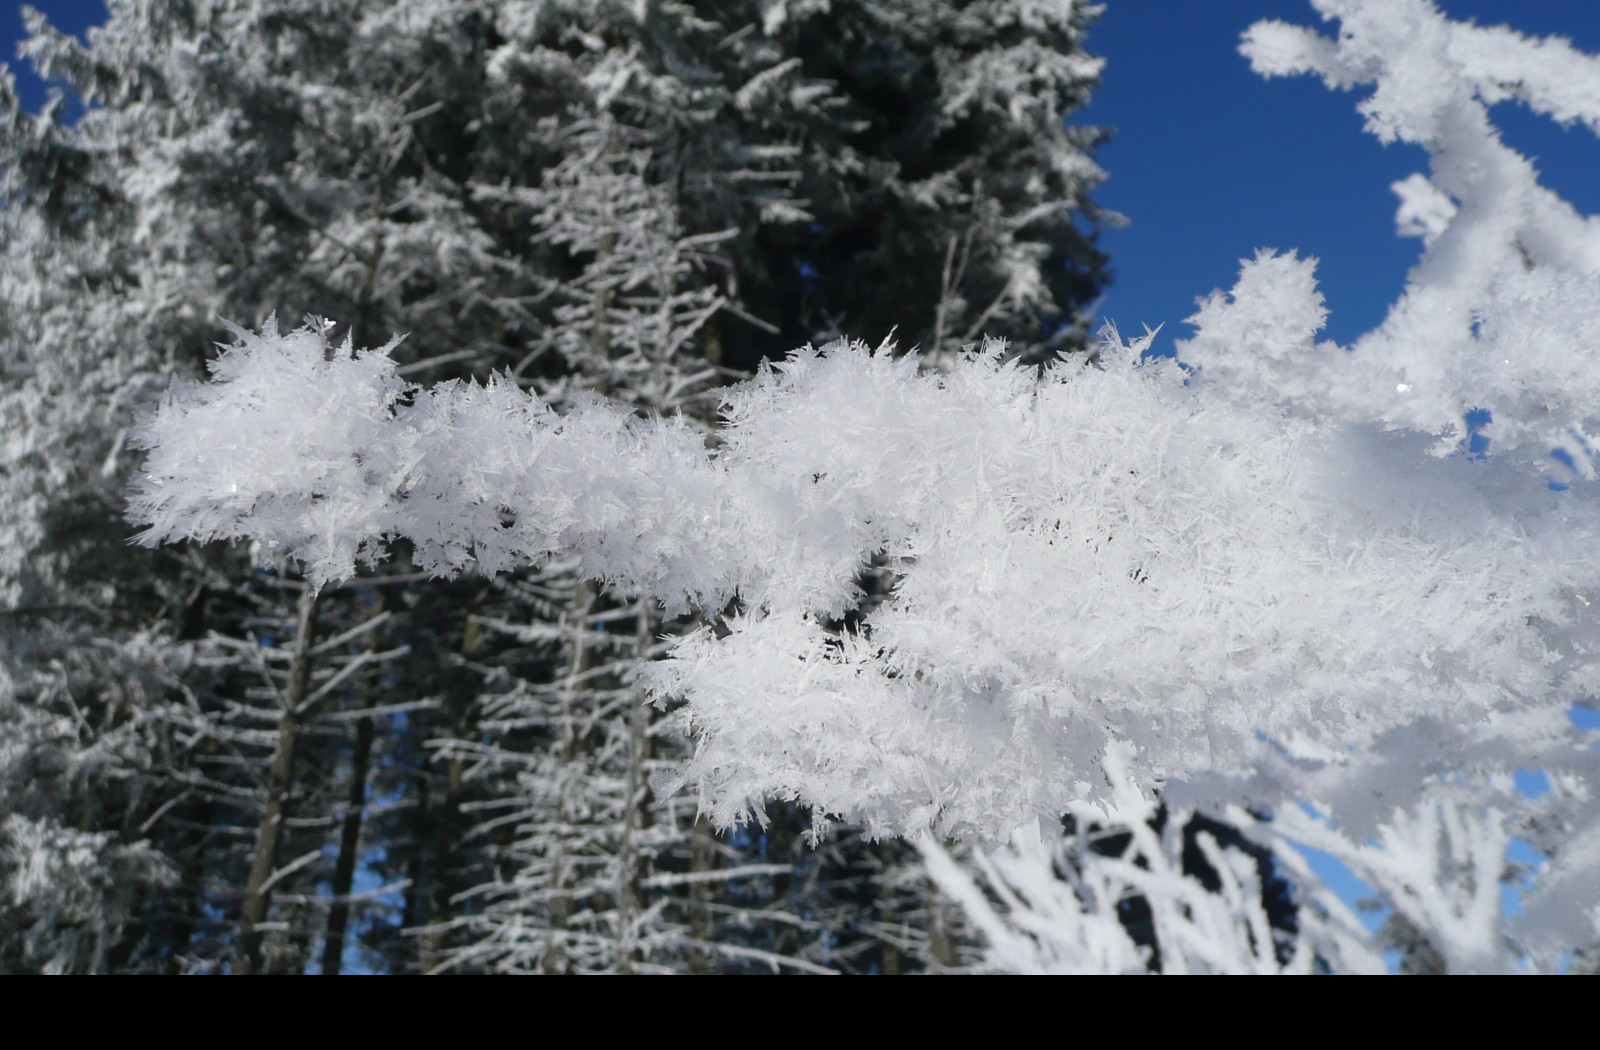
[(626, 199)]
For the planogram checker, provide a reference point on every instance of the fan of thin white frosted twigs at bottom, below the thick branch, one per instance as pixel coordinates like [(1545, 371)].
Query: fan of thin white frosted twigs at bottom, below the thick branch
[(1052, 905)]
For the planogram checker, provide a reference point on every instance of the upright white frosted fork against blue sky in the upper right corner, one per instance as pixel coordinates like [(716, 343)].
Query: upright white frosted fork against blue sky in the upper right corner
[(1500, 311)]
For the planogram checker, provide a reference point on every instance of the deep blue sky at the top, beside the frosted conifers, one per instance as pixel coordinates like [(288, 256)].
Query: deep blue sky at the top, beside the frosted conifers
[(1212, 162)]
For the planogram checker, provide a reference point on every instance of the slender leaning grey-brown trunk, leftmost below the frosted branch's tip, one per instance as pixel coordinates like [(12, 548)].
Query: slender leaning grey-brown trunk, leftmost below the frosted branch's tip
[(282, 782)]
